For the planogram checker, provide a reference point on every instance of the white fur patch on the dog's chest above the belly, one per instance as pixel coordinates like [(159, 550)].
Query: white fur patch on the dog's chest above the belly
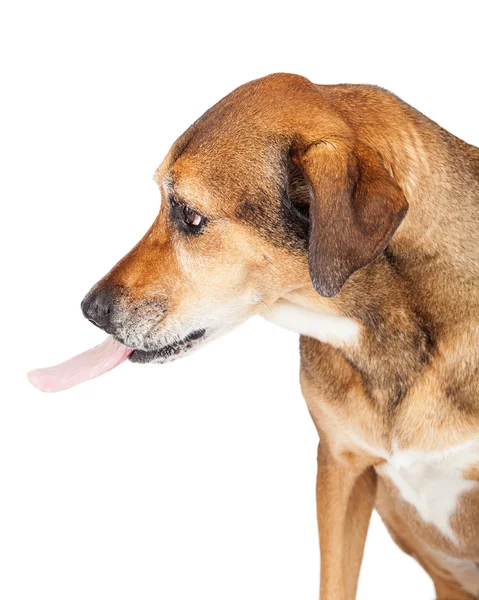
[(433, 482)]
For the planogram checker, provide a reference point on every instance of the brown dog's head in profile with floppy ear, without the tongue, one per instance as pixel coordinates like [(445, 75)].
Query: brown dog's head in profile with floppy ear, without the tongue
[(267, 192)]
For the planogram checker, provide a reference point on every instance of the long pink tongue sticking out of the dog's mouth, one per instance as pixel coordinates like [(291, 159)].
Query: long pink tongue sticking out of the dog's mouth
[(100, 359)]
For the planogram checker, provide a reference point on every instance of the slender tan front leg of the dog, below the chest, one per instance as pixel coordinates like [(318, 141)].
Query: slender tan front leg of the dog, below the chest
[(346, 491)]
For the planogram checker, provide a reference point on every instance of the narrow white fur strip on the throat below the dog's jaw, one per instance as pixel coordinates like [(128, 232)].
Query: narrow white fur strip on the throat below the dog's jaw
[(329, 329)]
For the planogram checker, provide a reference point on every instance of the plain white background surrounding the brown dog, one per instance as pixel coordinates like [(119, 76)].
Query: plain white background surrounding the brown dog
[(194, 479)]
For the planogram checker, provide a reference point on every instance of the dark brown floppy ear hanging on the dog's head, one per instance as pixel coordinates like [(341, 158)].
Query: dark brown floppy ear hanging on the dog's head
[(356, 207)]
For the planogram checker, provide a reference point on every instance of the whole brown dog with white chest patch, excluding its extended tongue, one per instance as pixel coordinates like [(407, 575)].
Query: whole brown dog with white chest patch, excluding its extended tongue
[(344, 214)]
